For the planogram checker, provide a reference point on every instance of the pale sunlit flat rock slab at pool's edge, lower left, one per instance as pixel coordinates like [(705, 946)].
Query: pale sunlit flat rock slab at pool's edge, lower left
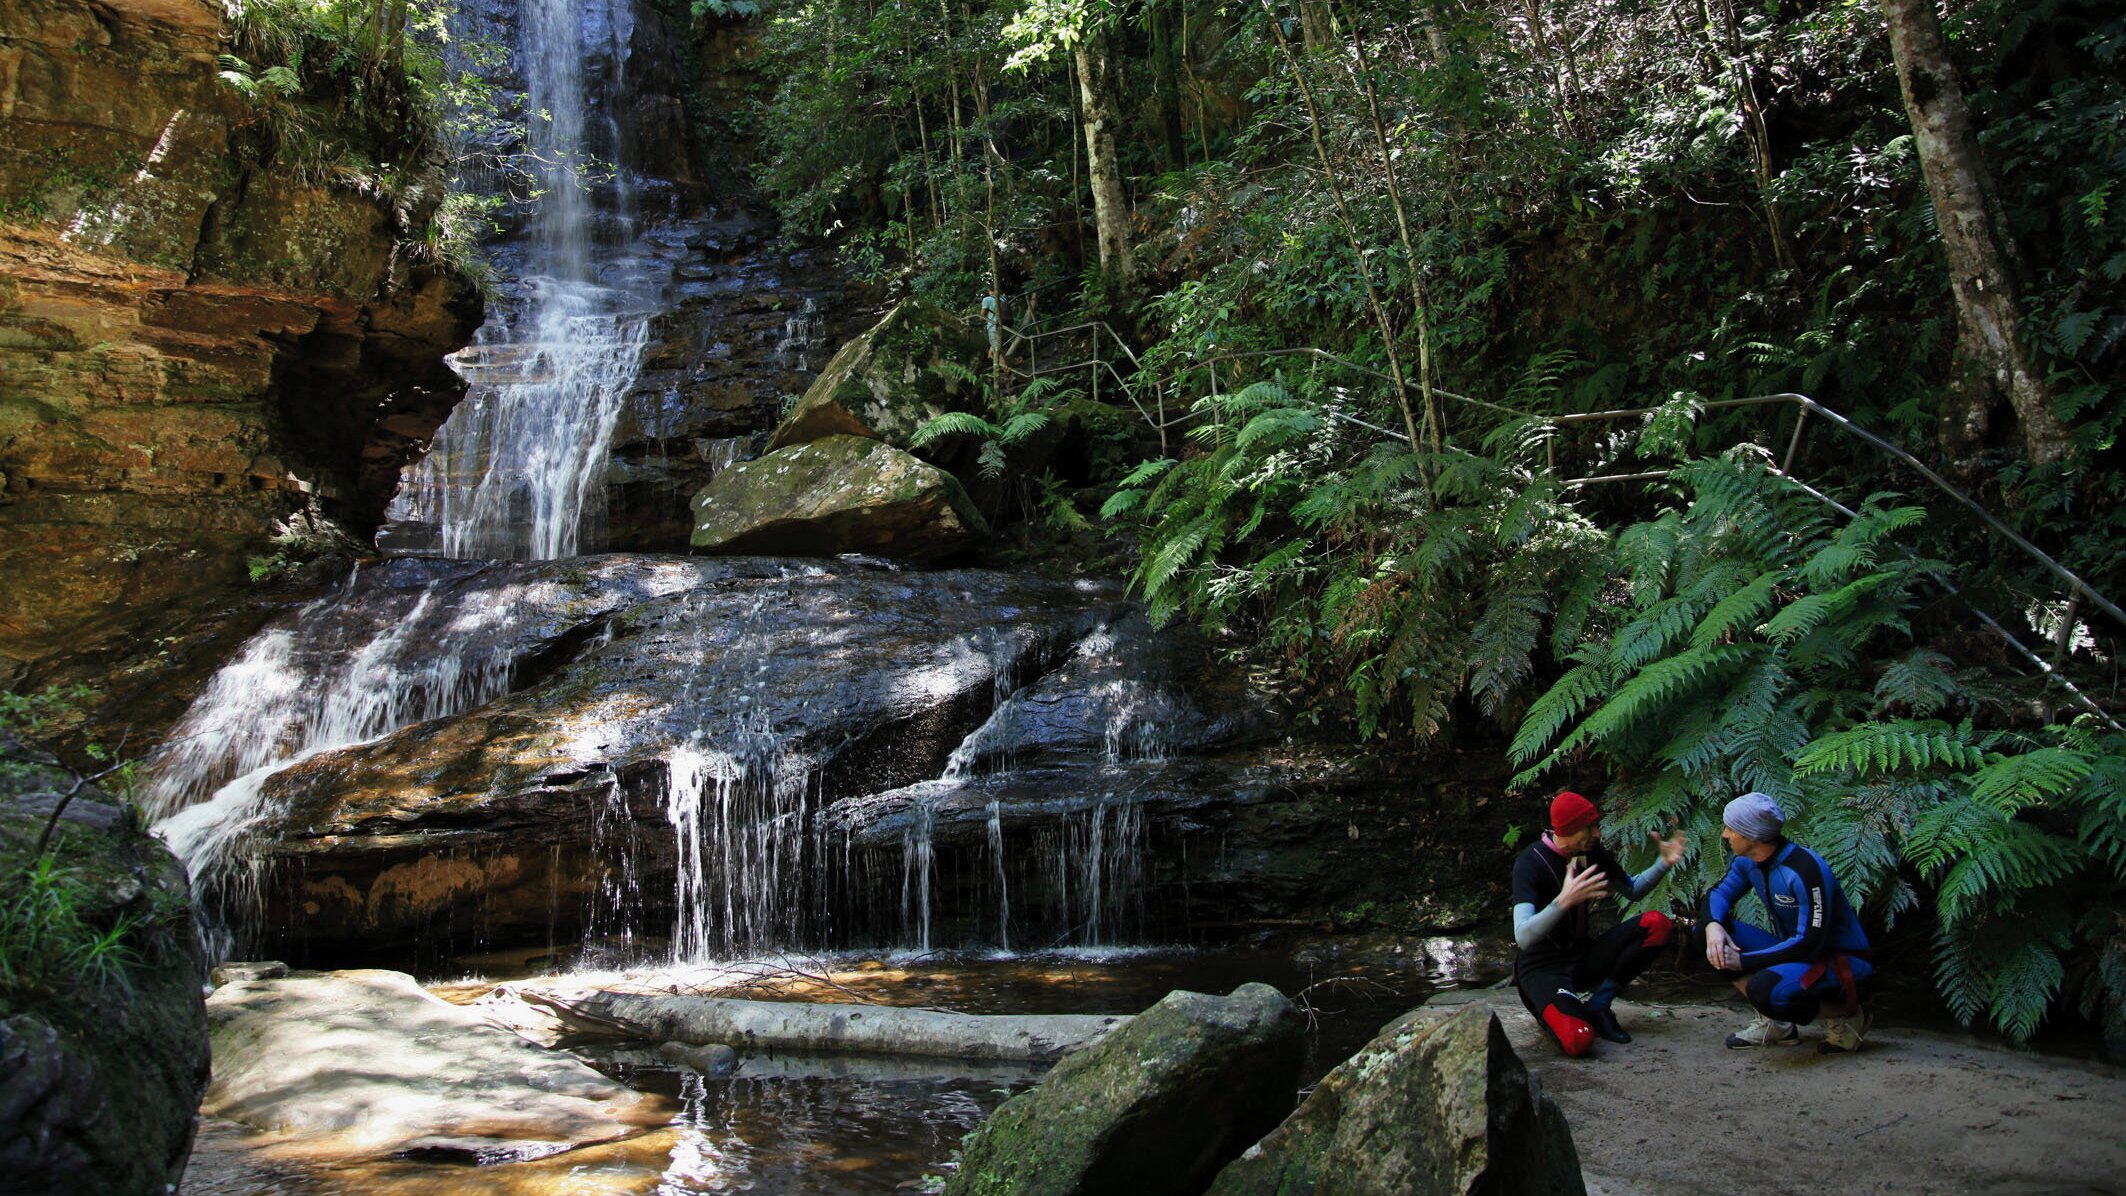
[(367, 1065)]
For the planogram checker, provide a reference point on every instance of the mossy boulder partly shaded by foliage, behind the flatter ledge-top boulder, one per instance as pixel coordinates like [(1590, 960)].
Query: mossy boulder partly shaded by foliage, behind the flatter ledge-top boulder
[(888, 383)]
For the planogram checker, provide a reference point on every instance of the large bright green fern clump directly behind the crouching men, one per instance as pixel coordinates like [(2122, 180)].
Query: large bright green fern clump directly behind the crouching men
[(1789, 685)]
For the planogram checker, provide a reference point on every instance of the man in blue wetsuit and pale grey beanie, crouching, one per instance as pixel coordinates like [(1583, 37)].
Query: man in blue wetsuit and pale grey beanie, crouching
[(1812, 959)]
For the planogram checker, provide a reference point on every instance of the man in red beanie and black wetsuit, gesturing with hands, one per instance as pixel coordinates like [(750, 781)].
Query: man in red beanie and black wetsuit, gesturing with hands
[(1568, 976)]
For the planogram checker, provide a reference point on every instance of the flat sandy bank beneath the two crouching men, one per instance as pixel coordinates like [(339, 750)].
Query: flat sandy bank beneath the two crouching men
[(1917, 1112)]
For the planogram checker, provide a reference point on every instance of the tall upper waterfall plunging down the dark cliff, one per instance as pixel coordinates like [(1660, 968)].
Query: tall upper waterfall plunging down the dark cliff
[(520, 468)]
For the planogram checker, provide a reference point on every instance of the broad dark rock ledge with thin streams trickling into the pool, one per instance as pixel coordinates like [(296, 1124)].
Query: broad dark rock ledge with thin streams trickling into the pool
[(762, 753)]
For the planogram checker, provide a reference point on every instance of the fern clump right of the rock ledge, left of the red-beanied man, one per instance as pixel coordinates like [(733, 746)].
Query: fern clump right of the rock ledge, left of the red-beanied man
[(1326, 541)]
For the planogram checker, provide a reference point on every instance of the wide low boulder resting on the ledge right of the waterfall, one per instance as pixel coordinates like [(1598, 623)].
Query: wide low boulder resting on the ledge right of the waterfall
[(841, 494)]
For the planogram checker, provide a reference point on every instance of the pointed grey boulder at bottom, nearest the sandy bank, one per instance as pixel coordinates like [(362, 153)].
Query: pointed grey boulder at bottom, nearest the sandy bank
[(1430, 1108)]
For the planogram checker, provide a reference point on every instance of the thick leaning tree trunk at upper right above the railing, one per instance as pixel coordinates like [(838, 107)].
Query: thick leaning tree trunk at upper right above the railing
[(1991, 358)]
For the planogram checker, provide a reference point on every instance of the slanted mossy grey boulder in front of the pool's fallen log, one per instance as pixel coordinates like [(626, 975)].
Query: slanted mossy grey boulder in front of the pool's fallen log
[(1155, 1108)]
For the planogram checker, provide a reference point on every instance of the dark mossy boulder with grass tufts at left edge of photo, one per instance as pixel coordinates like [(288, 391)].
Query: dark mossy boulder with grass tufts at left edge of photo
[(101, 1063)]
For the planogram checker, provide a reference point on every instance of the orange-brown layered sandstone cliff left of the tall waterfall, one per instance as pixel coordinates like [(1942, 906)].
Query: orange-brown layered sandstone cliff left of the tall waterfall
[(190, 347)]
